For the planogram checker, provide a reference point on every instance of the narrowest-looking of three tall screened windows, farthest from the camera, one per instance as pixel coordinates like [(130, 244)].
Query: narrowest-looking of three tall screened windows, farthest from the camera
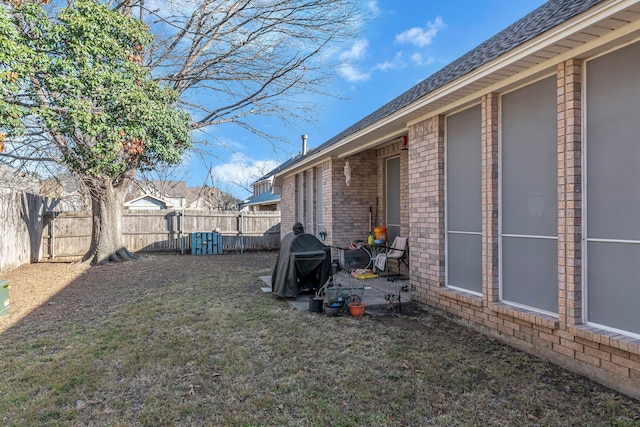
[(464, 206)]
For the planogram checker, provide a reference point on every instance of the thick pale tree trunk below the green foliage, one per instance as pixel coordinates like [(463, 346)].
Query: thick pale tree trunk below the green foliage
[(107, 205)]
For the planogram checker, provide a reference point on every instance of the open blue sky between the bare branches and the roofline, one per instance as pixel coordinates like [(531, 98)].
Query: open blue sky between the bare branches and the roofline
[(404, 43)]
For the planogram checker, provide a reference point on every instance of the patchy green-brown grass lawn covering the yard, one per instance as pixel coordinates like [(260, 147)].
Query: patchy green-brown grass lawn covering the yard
[(176, 340)]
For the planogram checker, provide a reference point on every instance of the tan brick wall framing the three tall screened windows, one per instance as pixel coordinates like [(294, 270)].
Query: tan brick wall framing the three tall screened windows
[(561, 339)]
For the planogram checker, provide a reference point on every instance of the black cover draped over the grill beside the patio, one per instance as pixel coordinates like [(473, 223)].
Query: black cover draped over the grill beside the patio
[(303, 264)]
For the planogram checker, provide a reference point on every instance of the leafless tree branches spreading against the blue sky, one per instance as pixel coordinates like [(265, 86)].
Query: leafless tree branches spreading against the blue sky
[(232, 60)]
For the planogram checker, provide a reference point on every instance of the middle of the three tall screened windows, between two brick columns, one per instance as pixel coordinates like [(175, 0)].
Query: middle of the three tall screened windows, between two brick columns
[(529, 193)]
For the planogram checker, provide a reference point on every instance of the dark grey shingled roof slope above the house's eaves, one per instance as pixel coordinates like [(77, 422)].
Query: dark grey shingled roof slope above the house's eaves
[(547, 16)]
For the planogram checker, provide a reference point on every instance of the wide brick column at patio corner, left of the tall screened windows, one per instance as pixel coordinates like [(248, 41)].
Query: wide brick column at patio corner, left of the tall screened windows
[(426, 195)]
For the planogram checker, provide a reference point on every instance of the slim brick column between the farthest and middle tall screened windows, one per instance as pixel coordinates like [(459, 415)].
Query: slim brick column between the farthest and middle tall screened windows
[(490, 208)]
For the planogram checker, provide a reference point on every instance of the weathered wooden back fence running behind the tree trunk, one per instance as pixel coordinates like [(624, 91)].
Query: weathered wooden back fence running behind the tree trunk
[(68, 234)]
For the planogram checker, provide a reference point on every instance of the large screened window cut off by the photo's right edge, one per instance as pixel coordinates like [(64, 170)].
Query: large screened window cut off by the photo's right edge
[(613, 190)]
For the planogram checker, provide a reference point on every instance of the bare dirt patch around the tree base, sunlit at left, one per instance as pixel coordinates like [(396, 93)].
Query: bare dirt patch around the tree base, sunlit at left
[(39, 286)]
